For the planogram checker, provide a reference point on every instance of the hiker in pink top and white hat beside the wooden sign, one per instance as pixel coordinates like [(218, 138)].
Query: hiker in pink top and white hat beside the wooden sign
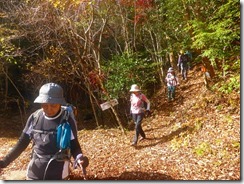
[(138, 111)]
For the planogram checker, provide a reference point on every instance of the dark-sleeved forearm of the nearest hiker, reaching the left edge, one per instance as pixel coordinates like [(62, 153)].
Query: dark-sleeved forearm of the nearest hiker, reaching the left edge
[(21, 145)]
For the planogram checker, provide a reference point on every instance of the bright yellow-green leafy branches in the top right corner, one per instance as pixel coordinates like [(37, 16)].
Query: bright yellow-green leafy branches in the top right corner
[(215, 36)]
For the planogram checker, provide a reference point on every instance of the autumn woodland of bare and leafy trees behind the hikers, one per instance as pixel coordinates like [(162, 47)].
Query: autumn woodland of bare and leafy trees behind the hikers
[(96, 50)]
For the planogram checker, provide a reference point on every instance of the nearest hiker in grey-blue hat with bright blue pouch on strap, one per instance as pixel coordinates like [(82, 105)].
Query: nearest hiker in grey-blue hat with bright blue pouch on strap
[(53, 131)]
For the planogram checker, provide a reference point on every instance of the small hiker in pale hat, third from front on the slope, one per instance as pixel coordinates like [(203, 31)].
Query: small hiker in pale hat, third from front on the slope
[(172, 81)]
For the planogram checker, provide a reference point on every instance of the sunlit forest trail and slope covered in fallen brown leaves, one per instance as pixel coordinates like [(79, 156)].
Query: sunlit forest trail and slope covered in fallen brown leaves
[(195, 137)]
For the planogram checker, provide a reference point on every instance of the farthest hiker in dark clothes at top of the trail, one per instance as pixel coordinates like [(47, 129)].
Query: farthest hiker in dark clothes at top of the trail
[(183, 62)]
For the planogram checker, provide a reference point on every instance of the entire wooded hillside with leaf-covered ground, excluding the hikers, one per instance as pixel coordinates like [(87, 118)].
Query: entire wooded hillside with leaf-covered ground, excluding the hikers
[(97, 49)]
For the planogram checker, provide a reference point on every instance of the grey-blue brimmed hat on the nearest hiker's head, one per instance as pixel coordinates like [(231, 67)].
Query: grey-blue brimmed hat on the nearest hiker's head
[(51, 93)]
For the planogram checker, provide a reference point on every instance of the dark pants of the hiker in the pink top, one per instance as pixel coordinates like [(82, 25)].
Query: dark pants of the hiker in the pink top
[(137, 118)]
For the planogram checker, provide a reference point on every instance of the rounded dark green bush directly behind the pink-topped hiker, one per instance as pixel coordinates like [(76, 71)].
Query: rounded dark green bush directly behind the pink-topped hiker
[(127, 69)]
